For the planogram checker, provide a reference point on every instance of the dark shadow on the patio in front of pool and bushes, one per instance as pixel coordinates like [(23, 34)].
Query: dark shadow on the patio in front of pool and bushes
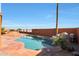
[(55, 51)]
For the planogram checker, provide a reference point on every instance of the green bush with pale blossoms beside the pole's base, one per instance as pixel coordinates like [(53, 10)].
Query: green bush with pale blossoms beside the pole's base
[(61, 40)]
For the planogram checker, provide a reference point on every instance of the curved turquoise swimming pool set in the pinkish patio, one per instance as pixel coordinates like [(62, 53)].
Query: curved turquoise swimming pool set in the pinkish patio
[(33, 43)]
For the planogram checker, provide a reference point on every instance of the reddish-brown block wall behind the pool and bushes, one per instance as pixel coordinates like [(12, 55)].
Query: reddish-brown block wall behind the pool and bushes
[(51, 32)]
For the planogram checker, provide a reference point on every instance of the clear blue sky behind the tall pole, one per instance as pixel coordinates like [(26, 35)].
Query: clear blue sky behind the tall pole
[(39, 15)]
